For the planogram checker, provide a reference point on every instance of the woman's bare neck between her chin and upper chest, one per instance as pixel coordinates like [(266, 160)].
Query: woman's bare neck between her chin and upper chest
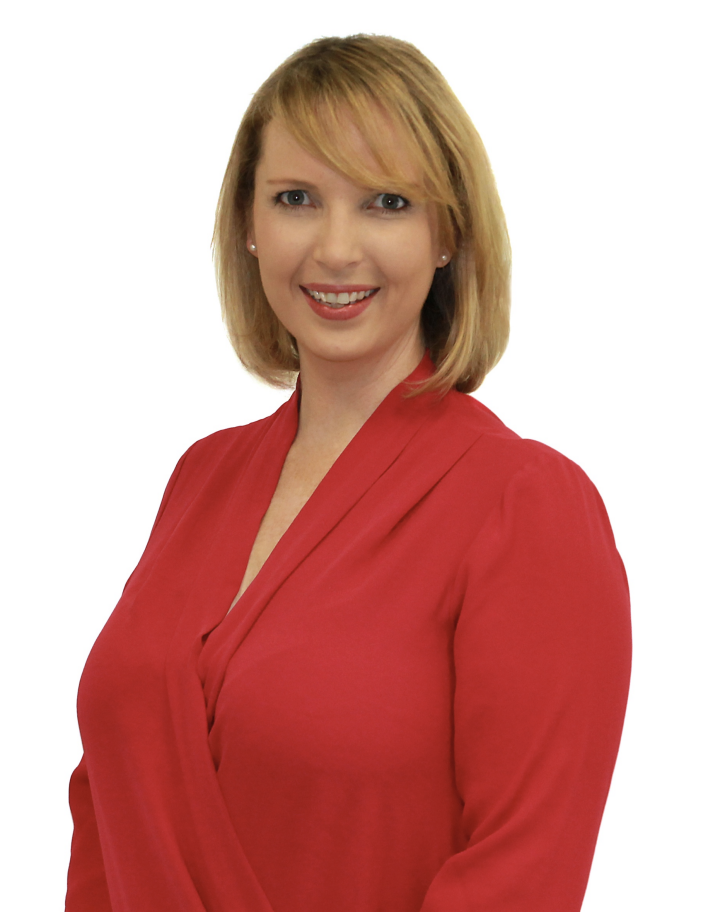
[(337, 397)]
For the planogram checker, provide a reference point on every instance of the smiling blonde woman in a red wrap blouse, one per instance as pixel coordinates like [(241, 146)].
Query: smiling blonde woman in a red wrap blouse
[(376, 654)]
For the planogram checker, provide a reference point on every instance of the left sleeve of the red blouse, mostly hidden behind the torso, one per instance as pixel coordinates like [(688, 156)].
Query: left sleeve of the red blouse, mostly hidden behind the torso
[(87, 887)]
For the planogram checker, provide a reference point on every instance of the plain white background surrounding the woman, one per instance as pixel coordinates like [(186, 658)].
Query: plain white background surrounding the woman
[(118, 120)]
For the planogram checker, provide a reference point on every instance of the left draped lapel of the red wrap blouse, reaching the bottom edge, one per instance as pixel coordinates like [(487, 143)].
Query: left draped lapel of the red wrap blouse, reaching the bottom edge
[(208, 841)]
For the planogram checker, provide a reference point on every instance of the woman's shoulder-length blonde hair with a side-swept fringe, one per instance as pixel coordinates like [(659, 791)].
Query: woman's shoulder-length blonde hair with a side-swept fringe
[(465, 318)]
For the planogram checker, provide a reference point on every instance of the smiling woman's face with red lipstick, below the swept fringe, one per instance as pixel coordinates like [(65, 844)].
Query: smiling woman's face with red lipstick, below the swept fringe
[(319, 237)]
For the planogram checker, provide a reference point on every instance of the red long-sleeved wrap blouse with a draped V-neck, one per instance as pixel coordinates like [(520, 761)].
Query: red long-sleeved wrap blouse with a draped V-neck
[(416, 705)]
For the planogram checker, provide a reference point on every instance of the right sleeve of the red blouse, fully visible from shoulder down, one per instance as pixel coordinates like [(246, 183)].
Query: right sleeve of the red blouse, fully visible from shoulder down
[(542, 652)]
